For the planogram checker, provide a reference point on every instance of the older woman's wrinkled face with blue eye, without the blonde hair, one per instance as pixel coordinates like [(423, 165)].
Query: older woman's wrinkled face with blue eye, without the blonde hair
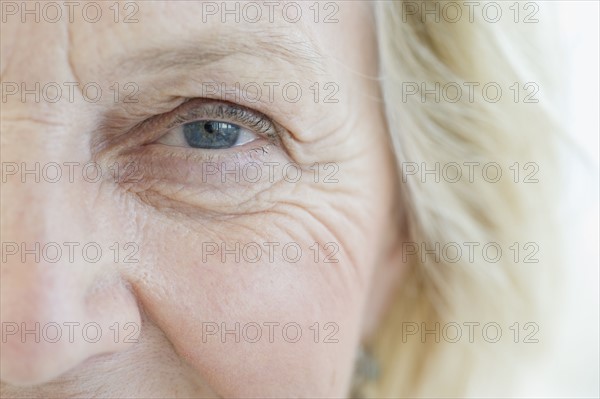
[(191, 207)]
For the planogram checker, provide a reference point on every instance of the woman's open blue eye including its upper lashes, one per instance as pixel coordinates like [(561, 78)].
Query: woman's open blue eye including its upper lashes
[(216, 126)]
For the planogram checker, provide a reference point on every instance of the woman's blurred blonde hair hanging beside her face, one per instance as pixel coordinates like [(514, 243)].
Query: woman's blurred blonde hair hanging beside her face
[(425, 51)]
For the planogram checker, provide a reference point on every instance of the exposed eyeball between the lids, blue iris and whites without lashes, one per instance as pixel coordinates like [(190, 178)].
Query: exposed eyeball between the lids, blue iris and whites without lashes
[(208, 134)]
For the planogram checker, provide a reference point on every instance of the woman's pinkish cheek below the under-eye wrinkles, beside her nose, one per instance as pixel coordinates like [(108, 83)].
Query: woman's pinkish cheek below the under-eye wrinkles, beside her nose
[(256, 311)]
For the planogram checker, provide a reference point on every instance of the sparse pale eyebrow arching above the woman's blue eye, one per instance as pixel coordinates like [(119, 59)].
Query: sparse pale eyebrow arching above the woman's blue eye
[(300, 53)]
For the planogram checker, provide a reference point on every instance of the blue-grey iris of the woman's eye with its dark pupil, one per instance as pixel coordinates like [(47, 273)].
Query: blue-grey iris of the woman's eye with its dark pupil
[(211, 134)]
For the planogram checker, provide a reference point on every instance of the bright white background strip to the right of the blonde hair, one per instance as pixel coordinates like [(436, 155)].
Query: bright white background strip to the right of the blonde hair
[(575, 369)]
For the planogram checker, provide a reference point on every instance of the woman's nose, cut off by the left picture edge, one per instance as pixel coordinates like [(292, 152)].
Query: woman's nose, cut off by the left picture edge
[(62, 300)]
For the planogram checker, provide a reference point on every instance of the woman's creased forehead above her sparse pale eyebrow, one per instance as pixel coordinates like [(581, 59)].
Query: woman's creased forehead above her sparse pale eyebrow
[(137, 34)]
